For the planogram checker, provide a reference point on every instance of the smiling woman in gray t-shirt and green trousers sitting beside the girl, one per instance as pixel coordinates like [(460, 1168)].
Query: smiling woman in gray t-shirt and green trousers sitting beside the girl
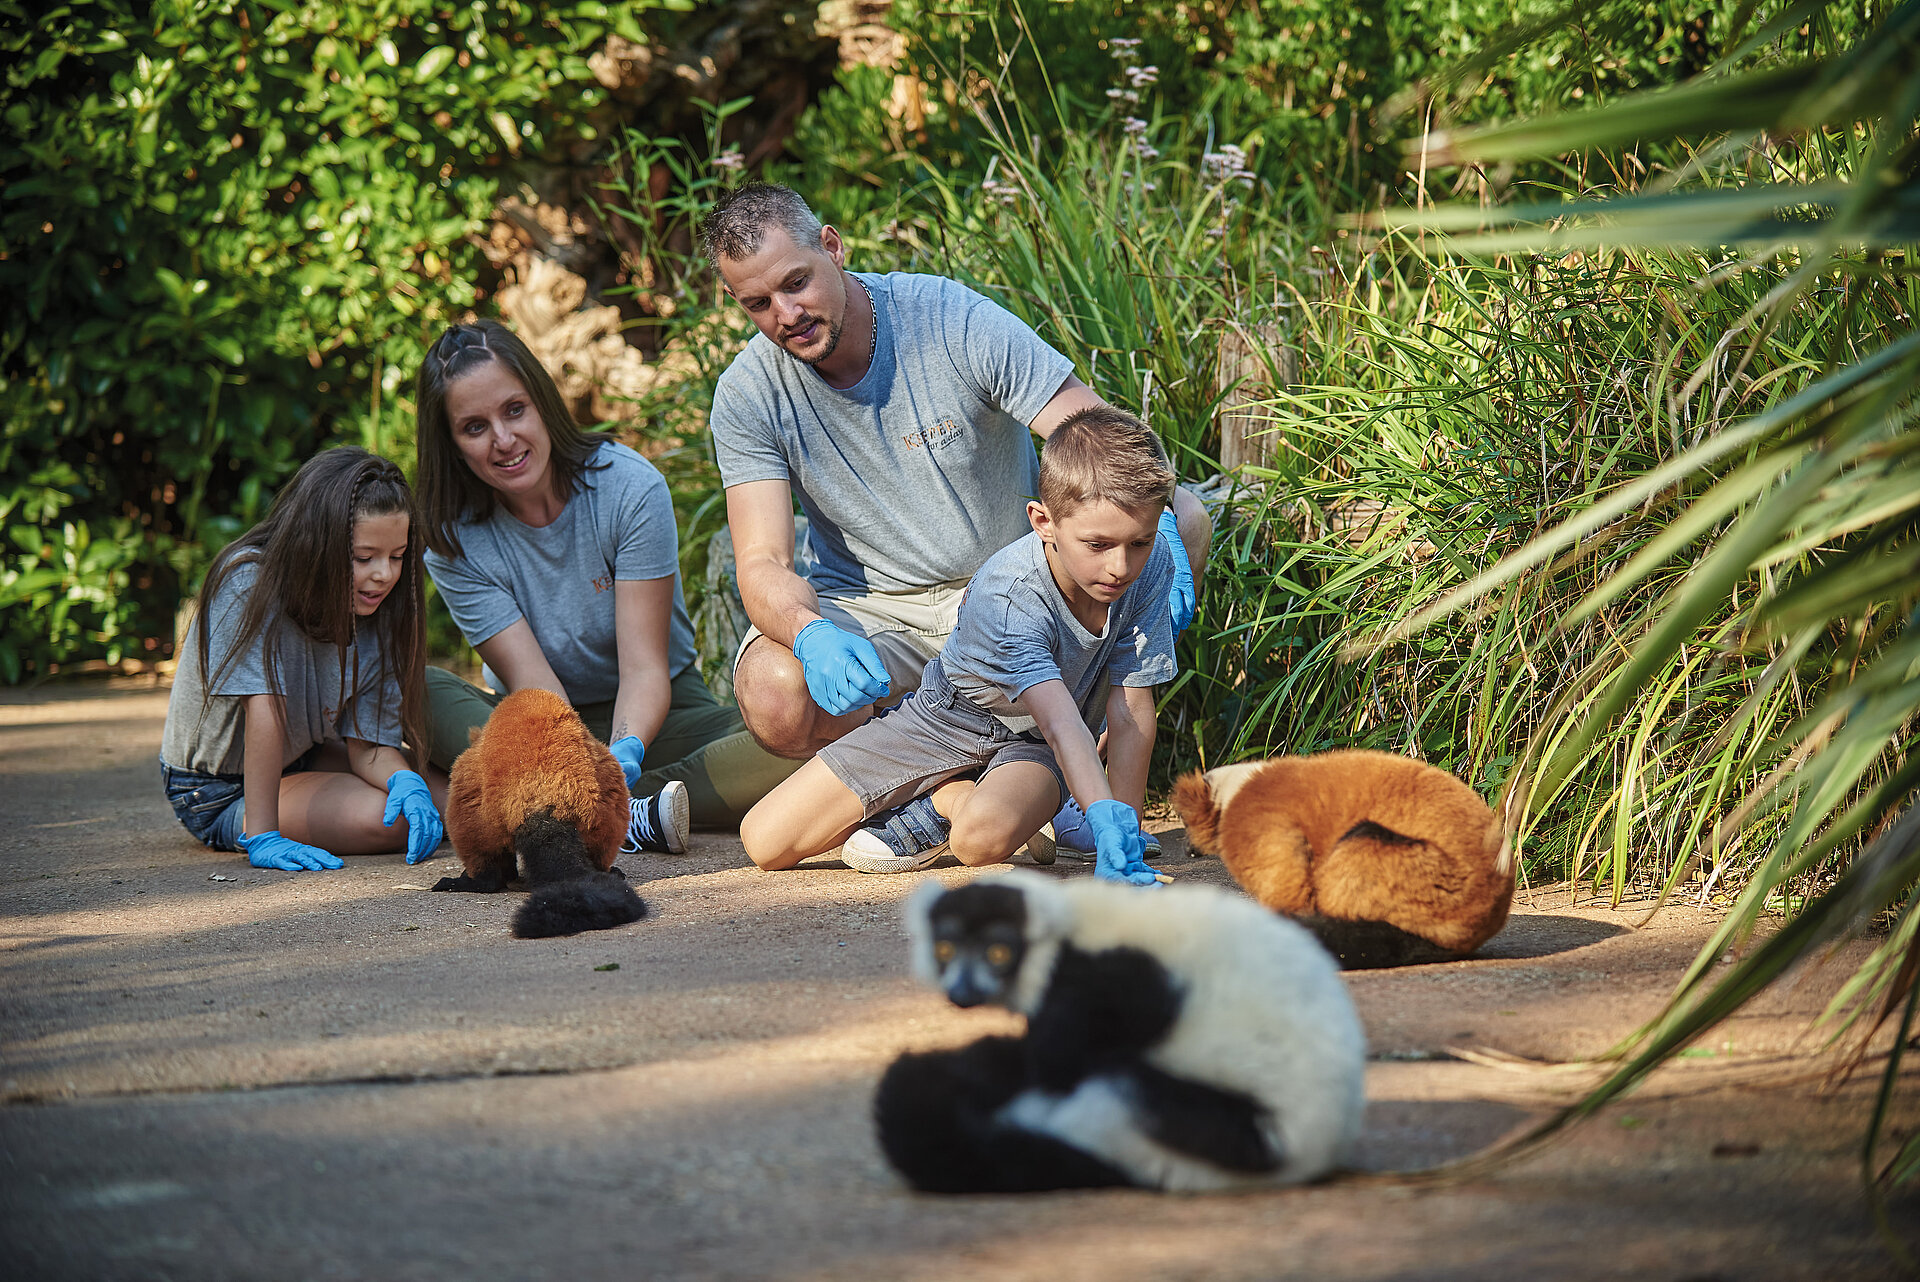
[(558, 556)]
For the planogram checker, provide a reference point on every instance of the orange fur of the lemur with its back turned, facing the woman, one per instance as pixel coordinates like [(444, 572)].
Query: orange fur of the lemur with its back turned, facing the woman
[(533, 755)]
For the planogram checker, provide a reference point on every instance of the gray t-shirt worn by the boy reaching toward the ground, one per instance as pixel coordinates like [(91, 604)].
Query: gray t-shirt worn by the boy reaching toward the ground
[(1017, 632)]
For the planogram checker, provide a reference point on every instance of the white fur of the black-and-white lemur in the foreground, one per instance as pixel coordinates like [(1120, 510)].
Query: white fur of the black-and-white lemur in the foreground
[(1264, 1012)]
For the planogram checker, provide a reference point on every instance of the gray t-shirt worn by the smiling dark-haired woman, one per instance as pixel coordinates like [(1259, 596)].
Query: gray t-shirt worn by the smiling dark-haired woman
[(560, 579)]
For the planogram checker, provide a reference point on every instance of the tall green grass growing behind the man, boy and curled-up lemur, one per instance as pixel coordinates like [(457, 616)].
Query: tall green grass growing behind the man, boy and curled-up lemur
[(1449, 410)]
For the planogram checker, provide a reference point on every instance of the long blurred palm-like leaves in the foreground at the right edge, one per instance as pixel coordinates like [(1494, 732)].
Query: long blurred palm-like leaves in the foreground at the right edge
[(1787, 569)]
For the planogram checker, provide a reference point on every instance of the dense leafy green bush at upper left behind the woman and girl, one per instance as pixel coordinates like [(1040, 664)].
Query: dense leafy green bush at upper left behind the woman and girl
[(228, 229)]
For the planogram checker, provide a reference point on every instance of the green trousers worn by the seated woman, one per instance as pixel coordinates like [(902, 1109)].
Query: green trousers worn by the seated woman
[(702, 744)]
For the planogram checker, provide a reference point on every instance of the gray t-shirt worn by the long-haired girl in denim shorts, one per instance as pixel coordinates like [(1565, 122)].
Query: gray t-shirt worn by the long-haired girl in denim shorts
[(210, 734)]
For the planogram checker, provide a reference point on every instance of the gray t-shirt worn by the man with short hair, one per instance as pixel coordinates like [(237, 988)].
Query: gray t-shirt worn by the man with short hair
[(923, 469)]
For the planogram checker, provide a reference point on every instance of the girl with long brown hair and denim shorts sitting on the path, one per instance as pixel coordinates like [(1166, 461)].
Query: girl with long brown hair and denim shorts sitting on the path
[(302, 678)]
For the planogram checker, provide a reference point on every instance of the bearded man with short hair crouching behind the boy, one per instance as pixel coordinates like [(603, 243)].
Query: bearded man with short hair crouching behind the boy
[(898, 408)]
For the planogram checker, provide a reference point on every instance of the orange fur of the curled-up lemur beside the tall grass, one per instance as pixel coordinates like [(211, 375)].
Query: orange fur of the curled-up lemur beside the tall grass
[(1441, 870)]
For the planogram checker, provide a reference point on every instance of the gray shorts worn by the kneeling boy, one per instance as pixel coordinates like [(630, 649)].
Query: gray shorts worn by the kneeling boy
[(924, 742)]
